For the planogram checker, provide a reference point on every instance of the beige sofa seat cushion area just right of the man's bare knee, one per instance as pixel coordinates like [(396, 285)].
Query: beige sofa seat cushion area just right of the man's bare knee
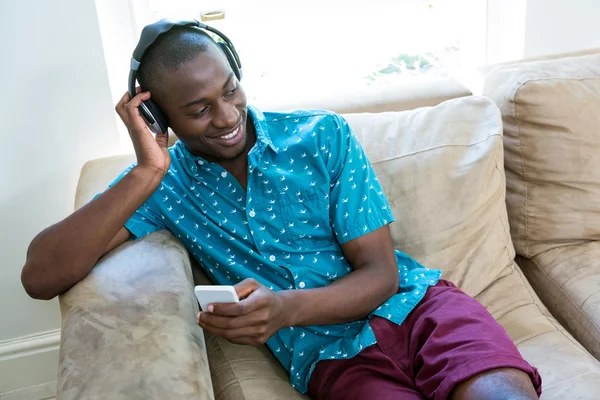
[(568, 371)]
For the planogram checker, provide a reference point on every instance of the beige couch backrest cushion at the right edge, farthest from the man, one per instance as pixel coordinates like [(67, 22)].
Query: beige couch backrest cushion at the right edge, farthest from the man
[(551, 113)]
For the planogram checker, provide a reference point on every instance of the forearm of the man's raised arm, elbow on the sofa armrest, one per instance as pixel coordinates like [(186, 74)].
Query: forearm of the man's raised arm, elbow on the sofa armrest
[(64, 253)]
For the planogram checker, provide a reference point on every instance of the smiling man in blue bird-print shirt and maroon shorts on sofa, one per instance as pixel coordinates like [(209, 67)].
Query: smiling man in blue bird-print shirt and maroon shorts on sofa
[(287, 208)]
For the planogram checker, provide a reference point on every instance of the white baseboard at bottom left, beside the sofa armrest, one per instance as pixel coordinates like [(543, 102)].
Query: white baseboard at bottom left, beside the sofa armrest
[(29, 366)]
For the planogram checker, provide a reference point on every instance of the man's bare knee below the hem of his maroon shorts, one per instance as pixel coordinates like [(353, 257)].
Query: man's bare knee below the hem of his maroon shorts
[(497, 384)]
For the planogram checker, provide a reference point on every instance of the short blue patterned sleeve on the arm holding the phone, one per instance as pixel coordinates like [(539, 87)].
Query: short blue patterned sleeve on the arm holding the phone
[(357, 202)]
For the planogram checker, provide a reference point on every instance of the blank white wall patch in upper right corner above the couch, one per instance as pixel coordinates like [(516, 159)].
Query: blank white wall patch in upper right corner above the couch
[(561, 26)]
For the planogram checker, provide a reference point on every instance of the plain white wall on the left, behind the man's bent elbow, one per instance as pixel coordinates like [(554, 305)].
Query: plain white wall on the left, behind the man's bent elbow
[(56, 112)]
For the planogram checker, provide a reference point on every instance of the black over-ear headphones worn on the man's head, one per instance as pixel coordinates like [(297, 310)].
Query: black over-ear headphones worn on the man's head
[(150, 111)]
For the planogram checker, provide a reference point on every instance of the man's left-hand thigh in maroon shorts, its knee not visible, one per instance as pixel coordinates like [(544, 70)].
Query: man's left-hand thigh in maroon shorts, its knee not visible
[(370, 375)]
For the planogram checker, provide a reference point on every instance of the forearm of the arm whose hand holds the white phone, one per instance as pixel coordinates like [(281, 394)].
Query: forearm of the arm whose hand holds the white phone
[(348, 299)]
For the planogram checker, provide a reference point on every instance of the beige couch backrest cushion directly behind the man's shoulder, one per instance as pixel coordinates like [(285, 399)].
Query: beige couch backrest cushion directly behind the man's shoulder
[(442, 170)]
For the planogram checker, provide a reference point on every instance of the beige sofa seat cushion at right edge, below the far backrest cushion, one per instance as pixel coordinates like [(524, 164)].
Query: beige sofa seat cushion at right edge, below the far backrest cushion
[(568, 282)]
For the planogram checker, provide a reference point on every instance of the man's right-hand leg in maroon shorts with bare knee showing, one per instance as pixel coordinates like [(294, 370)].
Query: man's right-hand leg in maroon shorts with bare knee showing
[(455, 344)]
